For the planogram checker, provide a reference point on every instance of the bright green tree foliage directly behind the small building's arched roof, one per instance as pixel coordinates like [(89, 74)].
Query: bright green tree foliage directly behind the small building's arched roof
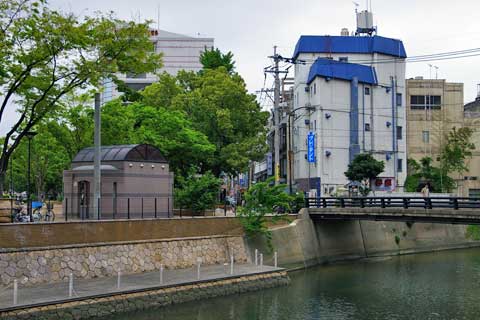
[(168, 130)]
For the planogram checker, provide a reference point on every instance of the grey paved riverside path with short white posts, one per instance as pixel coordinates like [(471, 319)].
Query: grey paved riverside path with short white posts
[(91, 287)]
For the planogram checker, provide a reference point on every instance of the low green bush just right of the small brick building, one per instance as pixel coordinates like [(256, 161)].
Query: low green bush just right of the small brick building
[(197, 192)]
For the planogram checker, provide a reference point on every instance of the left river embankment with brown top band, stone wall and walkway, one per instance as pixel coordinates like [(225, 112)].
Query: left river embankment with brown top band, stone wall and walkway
[(42, 256)]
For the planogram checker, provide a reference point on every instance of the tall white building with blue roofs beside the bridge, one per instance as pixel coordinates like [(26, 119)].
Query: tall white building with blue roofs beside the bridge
[(351, 95)]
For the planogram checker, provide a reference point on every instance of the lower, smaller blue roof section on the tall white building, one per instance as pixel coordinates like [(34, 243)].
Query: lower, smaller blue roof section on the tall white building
[(341, 70)]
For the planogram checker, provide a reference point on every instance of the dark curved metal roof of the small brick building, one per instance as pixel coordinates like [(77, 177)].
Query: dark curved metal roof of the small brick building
[(131, 152)]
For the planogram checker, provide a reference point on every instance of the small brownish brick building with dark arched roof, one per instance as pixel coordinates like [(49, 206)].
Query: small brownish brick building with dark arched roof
[(135, 179)]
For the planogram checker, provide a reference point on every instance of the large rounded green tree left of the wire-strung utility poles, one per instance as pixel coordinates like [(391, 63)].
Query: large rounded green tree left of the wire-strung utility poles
[(219, 106)]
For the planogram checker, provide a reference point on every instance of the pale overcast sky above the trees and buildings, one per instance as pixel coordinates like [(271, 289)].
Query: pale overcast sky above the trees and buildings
[(250, 28)]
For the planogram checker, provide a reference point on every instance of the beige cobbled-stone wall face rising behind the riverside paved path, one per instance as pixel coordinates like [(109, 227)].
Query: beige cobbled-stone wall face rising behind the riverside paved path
[(54, 264)]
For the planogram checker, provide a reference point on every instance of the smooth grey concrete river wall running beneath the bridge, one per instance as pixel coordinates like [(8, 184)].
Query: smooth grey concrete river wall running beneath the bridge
[(305, 243)]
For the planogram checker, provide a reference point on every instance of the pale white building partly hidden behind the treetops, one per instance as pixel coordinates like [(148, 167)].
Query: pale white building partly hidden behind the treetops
[(180, 52)]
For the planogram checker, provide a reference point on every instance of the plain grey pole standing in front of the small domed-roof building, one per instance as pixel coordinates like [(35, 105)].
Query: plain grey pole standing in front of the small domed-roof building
[(96, 159)]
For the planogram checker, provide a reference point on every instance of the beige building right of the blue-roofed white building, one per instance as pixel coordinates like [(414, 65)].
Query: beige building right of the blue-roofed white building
[(434, 107)]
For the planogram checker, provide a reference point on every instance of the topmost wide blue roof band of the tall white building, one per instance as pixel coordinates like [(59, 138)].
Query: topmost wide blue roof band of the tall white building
[(349, 44)]
